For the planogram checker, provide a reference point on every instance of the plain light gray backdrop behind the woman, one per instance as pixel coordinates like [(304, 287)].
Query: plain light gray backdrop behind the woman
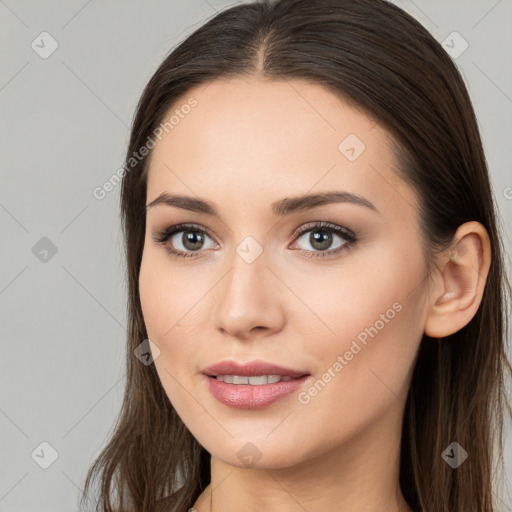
[(64, 130)]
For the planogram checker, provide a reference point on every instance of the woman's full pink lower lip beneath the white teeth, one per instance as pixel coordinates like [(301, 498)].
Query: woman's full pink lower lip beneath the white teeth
[(247, 396)]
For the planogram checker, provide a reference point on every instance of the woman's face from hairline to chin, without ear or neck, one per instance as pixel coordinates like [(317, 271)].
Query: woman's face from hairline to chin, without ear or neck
[(333, 289)]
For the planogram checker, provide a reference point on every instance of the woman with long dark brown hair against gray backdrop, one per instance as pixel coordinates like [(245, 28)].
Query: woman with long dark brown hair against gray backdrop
[(317, 300)]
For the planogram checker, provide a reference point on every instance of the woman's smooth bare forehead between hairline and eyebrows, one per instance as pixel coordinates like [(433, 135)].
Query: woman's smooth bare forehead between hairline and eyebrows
[(250, 142)]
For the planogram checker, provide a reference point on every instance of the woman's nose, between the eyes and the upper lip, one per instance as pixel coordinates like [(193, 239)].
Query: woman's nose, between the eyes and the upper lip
[(249, 301)]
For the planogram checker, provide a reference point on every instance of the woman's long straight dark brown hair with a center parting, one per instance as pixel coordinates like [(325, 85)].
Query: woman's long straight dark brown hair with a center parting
[(381, 60)]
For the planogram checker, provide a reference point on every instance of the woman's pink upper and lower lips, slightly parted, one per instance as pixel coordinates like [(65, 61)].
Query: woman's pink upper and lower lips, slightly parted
[(247, 396)]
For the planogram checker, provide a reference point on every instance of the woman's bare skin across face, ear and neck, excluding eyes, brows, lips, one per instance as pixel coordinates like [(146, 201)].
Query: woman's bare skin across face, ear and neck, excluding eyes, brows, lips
[(247, 143)]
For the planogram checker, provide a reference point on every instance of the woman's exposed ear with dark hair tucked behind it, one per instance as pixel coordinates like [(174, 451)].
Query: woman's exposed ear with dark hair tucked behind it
[(460, 281)]
